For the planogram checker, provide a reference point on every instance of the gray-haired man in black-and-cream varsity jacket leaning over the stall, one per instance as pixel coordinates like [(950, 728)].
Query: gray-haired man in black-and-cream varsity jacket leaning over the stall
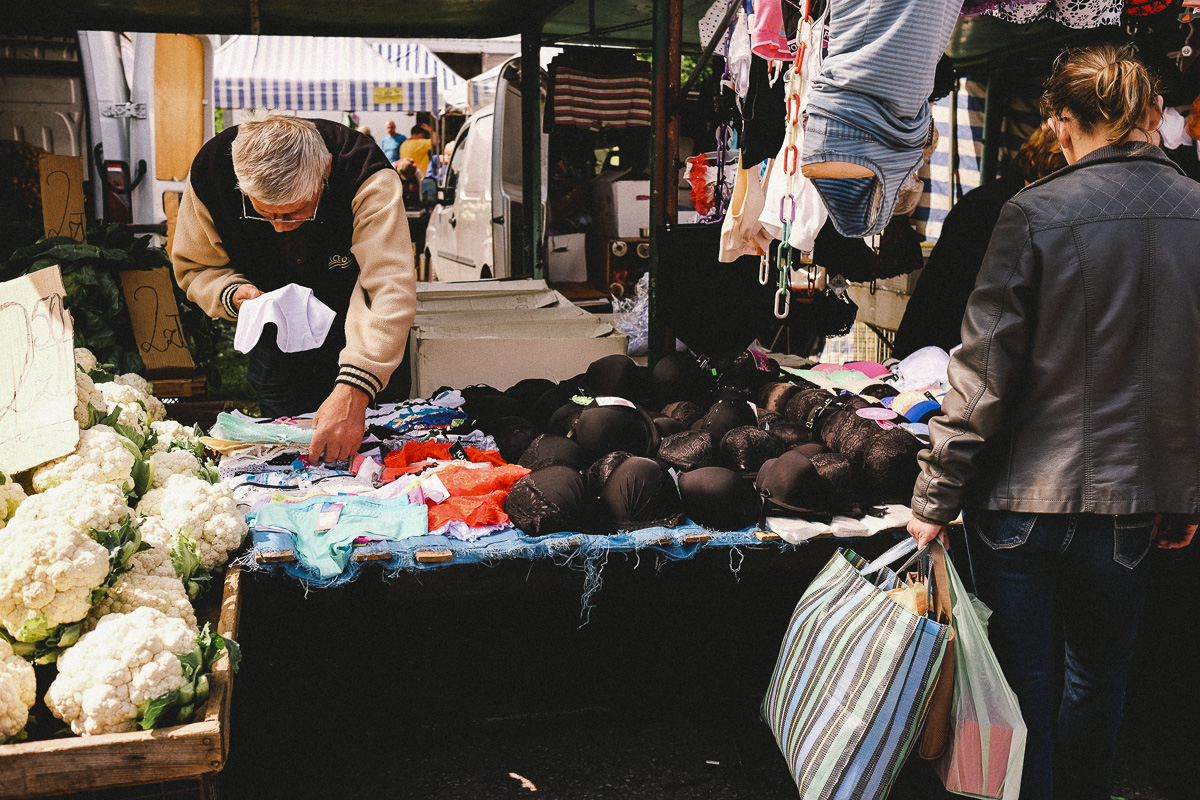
[(278, 201)]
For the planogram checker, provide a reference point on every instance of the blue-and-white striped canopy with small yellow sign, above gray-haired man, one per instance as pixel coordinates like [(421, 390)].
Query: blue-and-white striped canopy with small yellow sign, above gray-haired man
[(316, 74)]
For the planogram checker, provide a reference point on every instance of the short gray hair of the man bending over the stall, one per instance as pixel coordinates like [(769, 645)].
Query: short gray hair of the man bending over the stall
[(279, 159)]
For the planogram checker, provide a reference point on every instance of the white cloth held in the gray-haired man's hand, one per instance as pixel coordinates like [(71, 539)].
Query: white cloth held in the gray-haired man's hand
[(303, 322)]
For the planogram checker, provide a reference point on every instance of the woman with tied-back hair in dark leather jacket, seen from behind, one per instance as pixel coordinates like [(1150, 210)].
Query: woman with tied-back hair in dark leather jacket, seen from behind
[(1070, 432)]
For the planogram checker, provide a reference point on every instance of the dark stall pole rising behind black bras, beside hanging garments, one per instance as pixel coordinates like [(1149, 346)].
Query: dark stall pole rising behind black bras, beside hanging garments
[(664, 149)]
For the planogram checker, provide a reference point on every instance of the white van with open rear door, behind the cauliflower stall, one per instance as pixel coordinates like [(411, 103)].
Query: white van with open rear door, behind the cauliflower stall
[(135, 107)]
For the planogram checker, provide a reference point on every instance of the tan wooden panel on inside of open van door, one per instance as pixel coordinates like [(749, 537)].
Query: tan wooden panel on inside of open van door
[(179, 106)]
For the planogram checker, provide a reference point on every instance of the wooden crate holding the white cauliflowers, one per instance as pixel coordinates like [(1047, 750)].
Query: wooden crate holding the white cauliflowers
[(38, 769)]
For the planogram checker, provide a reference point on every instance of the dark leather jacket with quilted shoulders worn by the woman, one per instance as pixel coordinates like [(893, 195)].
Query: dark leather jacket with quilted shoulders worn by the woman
[(1078, 384)]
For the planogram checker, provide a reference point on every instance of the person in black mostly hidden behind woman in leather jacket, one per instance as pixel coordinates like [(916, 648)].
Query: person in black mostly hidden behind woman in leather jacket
[(934, 315)]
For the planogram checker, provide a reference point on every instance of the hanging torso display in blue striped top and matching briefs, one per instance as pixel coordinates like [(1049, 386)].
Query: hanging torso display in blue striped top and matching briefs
[(871, 104)]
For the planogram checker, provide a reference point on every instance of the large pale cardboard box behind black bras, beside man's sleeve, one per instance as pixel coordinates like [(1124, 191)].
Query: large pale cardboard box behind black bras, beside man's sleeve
[(499, 333)]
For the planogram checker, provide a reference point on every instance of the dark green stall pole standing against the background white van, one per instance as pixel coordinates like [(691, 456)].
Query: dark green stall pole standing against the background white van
[(531, 152)]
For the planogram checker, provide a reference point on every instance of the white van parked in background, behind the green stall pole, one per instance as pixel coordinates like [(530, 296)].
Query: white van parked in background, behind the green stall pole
[(475, 231)]
